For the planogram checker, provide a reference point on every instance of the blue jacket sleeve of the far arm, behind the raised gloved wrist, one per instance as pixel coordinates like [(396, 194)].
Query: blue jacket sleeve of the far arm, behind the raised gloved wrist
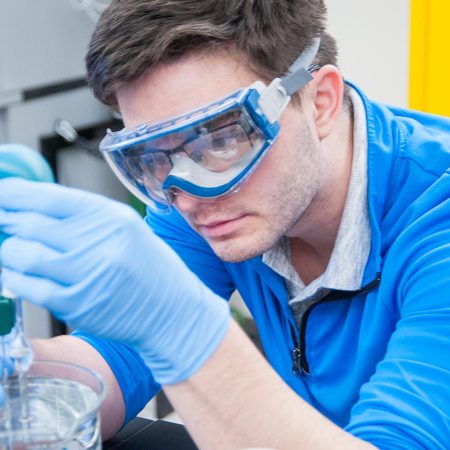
[(135, 379)]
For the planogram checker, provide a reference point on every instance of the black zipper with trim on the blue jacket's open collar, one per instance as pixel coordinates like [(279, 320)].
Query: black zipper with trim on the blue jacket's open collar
[(300, 363)]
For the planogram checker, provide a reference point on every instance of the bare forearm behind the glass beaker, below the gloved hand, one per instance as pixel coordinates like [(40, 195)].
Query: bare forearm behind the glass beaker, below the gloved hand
[(76, 351)]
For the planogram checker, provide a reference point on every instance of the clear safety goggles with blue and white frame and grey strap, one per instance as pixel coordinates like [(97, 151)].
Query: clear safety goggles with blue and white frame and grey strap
[(207, 152)]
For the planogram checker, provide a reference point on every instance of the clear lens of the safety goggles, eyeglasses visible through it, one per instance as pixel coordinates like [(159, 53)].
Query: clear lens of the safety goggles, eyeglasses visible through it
[(215, 145)]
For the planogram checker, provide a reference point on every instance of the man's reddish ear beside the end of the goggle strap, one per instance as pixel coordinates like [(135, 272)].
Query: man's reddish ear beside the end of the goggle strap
[(327, 91)]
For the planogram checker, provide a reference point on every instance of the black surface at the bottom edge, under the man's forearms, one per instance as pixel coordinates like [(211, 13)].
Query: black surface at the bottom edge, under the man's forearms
[(144, 434)]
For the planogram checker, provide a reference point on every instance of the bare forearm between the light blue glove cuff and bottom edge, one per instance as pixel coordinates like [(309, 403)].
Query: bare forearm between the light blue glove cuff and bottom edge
[(236, 400)]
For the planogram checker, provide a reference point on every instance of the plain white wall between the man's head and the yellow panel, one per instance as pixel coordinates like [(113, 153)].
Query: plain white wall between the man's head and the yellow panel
[(373, 40)]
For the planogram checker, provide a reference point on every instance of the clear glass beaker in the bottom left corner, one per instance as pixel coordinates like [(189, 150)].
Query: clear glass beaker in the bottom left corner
[(63, 402)]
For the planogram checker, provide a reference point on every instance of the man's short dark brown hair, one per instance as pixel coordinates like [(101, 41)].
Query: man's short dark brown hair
[(132, 36)]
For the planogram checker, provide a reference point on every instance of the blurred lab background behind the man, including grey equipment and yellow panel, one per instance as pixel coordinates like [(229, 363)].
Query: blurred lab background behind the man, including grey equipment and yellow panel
[(396, 50)]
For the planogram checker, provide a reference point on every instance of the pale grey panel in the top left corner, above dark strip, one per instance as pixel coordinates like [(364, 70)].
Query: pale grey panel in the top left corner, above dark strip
[(41, 42)]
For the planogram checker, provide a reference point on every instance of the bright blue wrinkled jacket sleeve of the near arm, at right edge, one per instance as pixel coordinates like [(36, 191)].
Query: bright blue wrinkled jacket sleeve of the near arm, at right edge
[(406, 403)]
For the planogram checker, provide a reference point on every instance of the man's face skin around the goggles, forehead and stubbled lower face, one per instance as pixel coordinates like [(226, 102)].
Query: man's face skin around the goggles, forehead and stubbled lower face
[(274, 197)]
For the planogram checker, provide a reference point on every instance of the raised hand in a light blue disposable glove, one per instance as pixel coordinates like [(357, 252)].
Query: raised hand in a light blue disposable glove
[(96, 265)]
